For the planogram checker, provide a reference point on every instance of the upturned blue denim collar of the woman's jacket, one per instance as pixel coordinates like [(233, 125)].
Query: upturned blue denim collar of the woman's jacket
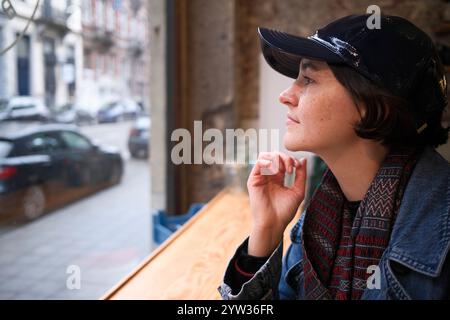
[(420, 237)]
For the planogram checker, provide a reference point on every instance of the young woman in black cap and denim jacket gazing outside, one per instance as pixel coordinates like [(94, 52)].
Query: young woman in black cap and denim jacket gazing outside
[(369, 102)]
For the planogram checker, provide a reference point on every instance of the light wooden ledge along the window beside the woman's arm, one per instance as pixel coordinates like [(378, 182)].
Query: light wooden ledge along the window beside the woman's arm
[(191, 263)]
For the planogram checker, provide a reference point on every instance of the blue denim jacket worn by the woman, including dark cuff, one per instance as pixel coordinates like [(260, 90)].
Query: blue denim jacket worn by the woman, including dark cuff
[(415, 264)]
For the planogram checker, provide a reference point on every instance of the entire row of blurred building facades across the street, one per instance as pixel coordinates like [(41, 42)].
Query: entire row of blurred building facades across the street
[(86, 51)]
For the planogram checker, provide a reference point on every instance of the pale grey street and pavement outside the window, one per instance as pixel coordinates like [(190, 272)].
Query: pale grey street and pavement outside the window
[(103, 236)]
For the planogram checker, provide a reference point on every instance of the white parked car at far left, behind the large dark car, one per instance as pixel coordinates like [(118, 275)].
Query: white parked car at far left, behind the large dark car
[(25, 108)]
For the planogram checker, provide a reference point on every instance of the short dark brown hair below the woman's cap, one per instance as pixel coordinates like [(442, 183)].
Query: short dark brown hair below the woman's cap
[(388, 118)]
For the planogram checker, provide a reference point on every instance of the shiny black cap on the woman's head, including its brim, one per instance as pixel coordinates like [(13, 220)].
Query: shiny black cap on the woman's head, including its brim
[(398, 57)]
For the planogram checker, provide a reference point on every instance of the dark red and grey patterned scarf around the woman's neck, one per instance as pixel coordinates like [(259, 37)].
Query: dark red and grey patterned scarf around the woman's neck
[(338, 249)]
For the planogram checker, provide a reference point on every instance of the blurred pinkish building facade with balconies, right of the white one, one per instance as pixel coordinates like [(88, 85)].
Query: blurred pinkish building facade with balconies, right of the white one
[(115, 51)]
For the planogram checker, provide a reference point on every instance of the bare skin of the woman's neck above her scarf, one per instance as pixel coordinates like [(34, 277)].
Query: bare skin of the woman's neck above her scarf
[(355, 167)]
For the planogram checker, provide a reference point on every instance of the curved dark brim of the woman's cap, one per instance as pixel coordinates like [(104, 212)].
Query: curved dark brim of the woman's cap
[(283, 51)]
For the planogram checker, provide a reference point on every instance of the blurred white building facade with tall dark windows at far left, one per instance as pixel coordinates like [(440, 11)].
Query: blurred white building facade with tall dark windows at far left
[(47, 57)]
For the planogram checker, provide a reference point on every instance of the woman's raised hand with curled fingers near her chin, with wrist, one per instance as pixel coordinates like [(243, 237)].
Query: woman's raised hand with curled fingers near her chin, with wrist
[(272, 204)]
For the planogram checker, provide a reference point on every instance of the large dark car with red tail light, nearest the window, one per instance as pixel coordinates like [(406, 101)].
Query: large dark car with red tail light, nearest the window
[(45, 166)]
